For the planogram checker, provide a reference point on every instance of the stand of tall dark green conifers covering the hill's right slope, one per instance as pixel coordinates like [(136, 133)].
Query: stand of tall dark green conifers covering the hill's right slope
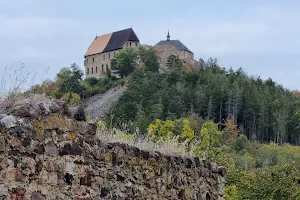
[(262, 109)]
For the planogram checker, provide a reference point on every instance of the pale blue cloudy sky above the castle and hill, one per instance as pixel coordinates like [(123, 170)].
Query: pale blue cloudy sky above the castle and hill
[(261, 36)]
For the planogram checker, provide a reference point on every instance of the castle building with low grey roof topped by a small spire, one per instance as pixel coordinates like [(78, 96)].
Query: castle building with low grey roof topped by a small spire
[(167, 48)]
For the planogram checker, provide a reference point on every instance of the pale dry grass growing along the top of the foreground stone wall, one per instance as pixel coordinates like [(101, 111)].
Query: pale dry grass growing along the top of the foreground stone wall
[(169, 147)]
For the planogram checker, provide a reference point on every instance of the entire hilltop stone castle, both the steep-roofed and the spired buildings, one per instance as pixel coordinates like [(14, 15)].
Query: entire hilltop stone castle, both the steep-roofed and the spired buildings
[(104, 48)]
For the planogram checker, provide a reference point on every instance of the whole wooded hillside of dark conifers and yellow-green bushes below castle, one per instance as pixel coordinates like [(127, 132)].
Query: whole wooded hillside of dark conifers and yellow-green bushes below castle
[(247, 124)]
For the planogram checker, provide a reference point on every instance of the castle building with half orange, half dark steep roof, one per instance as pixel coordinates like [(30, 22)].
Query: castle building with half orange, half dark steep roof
[(104, 48)]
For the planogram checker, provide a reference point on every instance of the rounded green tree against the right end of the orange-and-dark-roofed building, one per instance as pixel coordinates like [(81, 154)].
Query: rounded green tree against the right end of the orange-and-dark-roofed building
[(125, 62)]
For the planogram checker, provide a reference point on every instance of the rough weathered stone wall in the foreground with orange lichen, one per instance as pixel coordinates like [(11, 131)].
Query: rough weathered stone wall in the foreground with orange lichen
[(46, 154)]
